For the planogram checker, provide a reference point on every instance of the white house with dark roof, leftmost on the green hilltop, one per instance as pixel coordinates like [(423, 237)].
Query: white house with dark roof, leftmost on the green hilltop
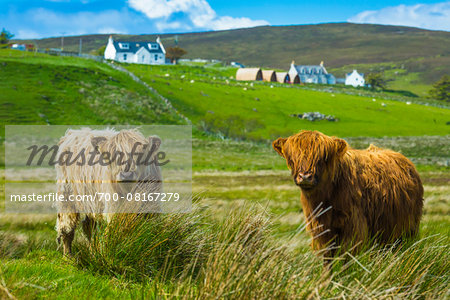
[(149, 53)]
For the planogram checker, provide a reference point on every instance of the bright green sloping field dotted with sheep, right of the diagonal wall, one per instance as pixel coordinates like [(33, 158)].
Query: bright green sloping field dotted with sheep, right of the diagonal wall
[(216, 103)]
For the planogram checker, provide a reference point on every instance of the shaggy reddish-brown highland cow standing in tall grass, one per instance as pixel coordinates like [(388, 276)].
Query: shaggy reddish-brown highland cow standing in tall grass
[(350, 196)]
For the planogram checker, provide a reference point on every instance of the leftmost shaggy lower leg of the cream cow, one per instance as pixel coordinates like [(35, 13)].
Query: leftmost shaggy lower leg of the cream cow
[(66, 224)]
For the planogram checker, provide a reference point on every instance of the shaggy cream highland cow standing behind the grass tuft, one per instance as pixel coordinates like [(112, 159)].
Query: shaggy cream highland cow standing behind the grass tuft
[(105, 164)]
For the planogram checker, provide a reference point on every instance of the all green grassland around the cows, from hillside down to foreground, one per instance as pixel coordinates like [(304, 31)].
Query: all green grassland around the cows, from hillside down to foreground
[(245, 238)]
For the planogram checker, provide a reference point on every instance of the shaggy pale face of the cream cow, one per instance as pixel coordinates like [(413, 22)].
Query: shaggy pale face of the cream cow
[(129, 156)]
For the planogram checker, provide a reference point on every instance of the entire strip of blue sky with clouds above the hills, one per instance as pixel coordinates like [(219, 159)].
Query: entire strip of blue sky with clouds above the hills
[(44, 18)]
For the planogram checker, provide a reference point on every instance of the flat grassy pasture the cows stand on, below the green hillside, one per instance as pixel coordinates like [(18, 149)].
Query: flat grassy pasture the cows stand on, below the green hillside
[(242, 185)]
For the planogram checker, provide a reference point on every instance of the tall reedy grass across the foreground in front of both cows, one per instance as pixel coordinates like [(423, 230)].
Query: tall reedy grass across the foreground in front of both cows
[(194, 256)]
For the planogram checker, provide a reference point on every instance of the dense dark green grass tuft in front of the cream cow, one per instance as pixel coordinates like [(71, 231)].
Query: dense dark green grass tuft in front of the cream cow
[(136, 247)]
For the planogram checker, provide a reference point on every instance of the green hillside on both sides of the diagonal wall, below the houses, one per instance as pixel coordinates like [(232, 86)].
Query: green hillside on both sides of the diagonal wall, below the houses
[(39, 89)]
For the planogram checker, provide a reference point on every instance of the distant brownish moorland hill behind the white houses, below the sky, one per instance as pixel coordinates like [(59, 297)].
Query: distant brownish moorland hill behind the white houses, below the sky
[(420, 56)]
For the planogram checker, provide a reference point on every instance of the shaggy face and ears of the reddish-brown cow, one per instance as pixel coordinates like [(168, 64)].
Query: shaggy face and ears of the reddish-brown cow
[(310, 155)]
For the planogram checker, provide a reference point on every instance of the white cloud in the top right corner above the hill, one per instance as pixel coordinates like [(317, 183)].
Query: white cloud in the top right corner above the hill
[(428, 16)]
